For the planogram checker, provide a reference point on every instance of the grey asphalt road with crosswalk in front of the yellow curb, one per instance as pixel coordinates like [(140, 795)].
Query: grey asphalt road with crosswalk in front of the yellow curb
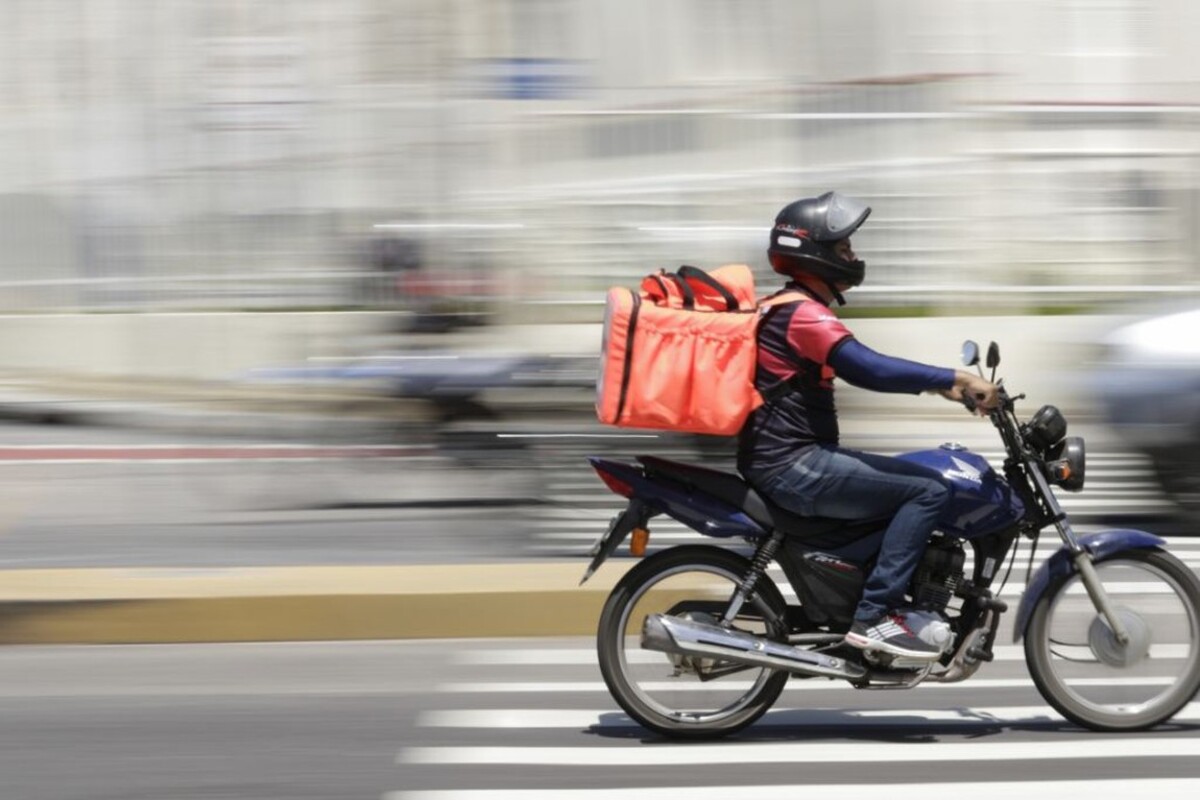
[(523, 719)]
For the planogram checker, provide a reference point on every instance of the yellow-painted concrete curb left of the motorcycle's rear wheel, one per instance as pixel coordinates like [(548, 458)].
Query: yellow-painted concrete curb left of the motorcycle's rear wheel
[(301, 604)]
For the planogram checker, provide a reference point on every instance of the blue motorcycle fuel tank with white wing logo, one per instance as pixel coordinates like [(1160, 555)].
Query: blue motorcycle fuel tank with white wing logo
[(983, 502)]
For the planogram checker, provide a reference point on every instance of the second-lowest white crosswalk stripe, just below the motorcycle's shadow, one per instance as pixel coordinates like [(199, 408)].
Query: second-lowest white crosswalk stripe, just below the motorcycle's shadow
[(808, 753)]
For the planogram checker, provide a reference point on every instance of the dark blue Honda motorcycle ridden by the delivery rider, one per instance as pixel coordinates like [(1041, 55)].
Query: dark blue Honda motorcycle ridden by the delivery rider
[(697, 641)]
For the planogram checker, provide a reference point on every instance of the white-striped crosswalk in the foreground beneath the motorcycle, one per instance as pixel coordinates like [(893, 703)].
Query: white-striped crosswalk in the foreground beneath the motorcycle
[(472, 731)]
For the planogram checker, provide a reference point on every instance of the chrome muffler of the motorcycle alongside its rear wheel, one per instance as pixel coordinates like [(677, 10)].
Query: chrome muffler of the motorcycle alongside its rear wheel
[(676, 635)]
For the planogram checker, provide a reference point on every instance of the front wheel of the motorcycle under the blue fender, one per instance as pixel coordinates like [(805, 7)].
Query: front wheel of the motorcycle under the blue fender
[(1100, 683)]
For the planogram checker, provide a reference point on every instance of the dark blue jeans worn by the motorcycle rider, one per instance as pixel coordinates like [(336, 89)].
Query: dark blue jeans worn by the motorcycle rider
[(829, 482)]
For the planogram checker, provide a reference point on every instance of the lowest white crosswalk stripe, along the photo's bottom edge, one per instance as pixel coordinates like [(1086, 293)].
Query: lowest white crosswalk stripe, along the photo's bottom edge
[(1097, 790)]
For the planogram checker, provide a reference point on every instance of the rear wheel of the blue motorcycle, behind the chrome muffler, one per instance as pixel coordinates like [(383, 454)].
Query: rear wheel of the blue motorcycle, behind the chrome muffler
[(686, 696)]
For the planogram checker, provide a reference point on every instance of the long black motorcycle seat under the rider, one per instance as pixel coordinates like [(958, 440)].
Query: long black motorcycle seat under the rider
[(737, 492)]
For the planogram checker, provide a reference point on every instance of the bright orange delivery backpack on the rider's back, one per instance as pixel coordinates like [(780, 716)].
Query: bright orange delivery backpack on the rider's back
[(681, 353)]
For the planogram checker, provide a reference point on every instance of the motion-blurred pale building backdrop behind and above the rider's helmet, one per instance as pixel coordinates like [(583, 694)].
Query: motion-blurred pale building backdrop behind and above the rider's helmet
[(250, 154)]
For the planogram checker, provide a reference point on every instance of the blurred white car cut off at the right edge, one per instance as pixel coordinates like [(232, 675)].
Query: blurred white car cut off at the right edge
[(1150, 389)]
